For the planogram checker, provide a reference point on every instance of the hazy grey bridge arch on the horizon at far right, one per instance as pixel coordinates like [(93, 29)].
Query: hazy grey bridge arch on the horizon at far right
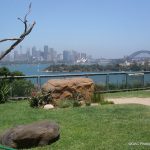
[(139, 55)]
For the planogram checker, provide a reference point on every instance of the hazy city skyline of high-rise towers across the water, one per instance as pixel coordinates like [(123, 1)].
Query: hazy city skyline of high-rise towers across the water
[(46, 54)]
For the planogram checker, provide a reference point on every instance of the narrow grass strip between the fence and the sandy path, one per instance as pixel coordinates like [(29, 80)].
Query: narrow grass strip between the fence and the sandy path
[(142, 93)]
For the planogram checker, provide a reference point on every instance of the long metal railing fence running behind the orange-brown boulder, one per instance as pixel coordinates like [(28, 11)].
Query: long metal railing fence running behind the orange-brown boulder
[(111, 81)]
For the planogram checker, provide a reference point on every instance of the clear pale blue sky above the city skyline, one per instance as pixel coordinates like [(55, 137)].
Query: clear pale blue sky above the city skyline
[(101, 28)]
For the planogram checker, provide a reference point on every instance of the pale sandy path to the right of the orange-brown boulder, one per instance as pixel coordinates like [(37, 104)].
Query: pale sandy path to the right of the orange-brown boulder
[(133, 100)]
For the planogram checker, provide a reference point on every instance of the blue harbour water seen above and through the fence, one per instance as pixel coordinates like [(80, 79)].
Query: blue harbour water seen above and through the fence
[(37, 69)]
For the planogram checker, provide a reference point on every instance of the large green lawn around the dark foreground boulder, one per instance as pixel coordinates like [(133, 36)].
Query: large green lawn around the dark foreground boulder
[(107, 127)]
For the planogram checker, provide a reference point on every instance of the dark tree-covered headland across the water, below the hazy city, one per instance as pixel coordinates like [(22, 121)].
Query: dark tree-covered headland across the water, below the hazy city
[(97, 68)]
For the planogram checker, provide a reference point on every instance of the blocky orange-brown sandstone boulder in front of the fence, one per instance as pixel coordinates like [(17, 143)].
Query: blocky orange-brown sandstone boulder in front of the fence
[(69, 88)]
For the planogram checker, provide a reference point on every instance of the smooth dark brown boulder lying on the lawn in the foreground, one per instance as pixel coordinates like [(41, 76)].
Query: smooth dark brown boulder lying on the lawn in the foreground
[(31, 135)]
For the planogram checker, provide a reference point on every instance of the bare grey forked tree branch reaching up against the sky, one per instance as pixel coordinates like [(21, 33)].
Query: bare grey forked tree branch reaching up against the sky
[(27, 31)]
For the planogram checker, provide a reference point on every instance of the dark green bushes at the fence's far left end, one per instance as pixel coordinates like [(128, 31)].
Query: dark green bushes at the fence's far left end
[(14, 87)]
